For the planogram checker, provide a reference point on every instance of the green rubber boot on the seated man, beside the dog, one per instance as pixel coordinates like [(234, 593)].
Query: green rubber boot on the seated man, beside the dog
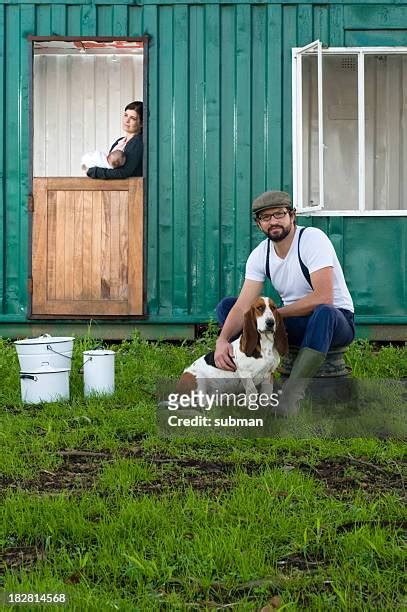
[(305, 366)]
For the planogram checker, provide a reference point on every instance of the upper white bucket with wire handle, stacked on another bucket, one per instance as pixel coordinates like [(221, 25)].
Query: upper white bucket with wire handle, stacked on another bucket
[(45, 351)]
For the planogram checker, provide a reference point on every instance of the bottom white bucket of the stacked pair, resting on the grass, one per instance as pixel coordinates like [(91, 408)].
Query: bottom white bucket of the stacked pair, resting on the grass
[(44, 385)]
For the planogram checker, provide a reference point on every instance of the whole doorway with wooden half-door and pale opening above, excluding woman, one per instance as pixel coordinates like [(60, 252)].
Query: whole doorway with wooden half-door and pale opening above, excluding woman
[(87, 235)]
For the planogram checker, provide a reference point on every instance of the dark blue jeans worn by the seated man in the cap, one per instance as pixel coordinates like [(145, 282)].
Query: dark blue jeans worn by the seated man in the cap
[(327, 327)]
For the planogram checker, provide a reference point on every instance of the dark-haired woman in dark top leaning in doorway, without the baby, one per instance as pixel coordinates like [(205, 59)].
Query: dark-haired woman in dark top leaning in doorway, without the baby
[(131, 144)]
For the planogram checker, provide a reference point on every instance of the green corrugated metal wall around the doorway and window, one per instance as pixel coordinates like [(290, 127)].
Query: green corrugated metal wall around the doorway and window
[(219, 134)]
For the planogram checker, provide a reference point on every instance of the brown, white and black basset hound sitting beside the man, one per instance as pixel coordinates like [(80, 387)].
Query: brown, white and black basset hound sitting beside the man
[(256, 355)]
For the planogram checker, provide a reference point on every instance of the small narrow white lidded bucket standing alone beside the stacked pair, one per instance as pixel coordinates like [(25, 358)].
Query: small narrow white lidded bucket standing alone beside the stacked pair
[(98, 372)]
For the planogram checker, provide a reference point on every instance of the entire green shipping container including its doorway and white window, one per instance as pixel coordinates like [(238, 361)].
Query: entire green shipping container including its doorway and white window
[(239, 98)]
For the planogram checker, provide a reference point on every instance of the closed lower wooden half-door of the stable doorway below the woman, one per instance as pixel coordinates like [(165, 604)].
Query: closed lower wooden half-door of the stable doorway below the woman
[(87, 247)]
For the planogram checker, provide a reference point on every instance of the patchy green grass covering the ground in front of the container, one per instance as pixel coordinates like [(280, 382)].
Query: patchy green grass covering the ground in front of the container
[(96, 505)]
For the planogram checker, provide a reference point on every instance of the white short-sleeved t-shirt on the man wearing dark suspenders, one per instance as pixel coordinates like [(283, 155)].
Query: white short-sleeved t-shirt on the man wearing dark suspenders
[(316, 251)]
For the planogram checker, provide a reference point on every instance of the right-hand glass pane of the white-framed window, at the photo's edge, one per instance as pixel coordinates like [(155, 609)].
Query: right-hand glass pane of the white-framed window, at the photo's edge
[(386, 131)]
